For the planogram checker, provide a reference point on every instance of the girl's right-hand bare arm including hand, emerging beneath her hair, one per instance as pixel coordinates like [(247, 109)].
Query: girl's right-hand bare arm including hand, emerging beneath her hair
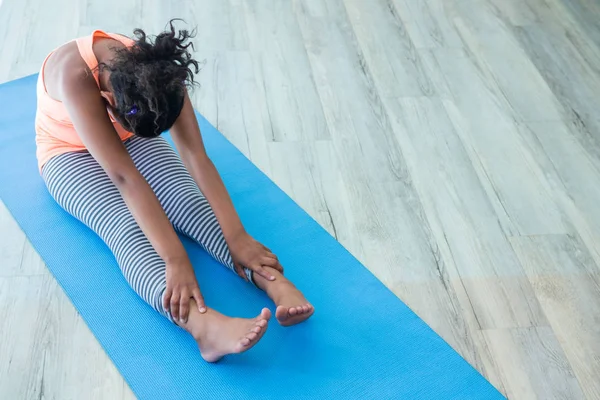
[(245, 250)]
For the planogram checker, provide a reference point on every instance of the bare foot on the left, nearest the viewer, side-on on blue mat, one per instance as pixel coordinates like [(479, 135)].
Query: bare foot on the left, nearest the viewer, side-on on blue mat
[(218, 335)]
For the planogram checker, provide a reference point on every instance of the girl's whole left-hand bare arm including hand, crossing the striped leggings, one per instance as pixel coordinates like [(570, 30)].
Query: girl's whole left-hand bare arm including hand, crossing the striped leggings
[(90, 118)]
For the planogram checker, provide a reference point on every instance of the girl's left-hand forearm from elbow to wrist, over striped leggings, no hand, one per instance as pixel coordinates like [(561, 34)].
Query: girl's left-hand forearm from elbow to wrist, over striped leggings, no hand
[(150, 216)]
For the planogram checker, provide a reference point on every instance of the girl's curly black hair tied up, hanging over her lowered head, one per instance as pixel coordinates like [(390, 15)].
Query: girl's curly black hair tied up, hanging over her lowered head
[(149, 80)]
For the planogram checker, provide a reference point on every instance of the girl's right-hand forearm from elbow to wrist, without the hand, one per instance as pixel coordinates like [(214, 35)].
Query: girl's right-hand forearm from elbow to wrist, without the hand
[(210, 183)]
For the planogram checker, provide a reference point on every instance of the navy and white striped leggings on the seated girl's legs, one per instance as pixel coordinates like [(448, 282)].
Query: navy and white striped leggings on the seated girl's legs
[(78, 183)]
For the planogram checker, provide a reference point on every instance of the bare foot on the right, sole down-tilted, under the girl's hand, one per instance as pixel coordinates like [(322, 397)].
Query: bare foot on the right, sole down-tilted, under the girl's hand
[(292, 306)]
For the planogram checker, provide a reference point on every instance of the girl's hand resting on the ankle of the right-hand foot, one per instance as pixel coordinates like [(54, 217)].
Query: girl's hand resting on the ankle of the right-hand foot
[(247, 252)]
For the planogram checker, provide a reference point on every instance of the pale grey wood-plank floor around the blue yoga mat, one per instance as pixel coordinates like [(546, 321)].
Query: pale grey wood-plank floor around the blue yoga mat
[(453, 146)]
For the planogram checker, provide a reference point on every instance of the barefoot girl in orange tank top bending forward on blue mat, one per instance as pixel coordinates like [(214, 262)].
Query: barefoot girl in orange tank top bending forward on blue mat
[(103, 101)]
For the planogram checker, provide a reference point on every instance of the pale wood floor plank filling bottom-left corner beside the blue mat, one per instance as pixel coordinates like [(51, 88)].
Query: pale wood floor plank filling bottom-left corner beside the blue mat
[(50, 352)]
